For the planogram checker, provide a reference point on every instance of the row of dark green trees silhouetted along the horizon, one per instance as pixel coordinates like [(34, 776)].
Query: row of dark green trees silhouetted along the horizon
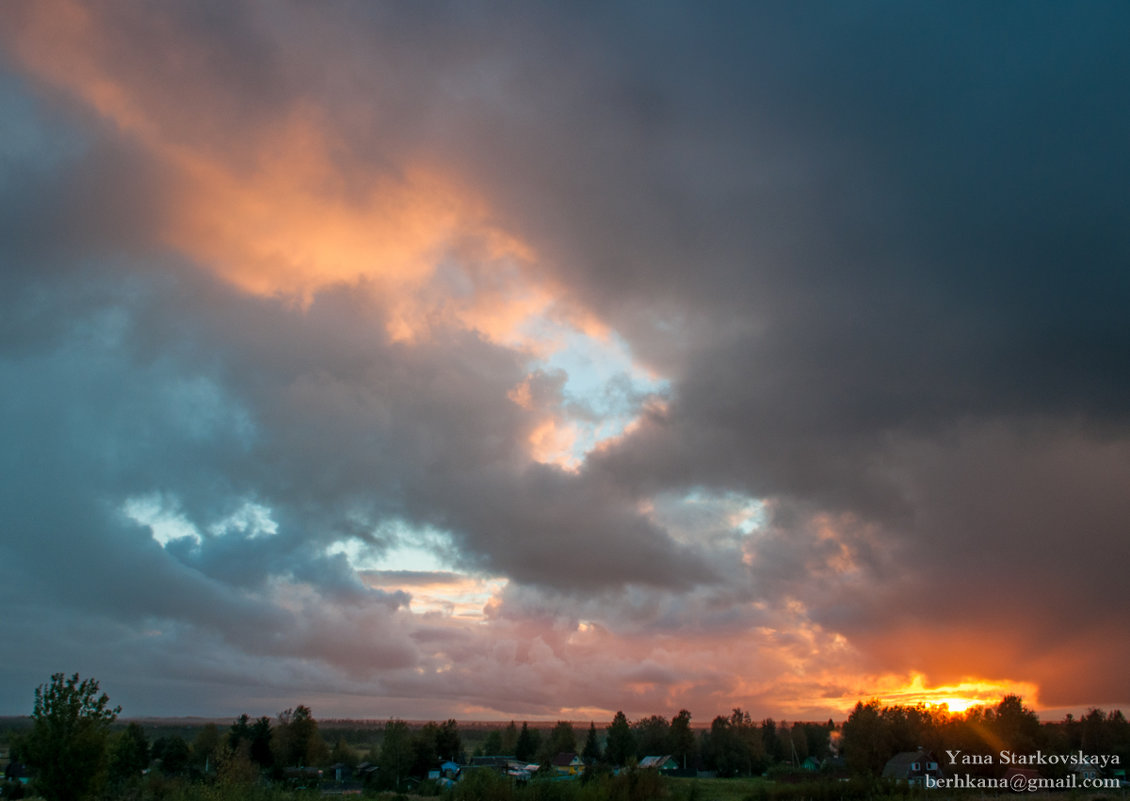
[(75, 755)]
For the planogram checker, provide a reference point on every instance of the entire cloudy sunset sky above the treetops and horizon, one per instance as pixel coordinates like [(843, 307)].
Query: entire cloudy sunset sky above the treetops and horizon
[(538, 361)]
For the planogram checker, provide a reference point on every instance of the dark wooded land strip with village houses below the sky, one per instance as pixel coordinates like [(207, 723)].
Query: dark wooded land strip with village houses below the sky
[(75, 747)]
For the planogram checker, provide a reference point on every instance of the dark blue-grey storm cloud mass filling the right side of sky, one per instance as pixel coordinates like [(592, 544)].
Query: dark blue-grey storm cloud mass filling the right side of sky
[(863, 230)]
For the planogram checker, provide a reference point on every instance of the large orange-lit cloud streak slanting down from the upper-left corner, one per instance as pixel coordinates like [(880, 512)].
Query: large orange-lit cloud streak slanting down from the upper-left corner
[(280, 210)]
